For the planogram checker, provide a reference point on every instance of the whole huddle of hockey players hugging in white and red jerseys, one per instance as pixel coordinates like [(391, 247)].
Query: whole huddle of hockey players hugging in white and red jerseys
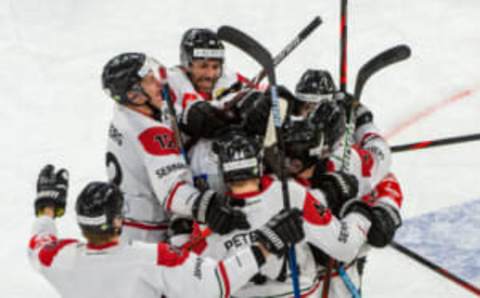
[(194, 206)]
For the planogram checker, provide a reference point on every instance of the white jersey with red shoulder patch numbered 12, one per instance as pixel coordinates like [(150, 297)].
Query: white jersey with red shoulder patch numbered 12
[(144, 160)]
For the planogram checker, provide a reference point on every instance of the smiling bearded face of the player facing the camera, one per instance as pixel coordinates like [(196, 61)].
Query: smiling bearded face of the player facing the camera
[(205, 73)]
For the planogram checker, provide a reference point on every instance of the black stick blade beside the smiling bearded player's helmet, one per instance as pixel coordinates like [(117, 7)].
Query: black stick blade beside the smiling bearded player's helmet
[(250, 46)]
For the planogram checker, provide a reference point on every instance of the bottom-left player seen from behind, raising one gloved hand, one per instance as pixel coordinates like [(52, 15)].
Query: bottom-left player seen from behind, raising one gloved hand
[(105, 267)]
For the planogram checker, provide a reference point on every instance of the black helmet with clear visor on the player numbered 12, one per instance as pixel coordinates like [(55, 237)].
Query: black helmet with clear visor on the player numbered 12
[(124, 73)]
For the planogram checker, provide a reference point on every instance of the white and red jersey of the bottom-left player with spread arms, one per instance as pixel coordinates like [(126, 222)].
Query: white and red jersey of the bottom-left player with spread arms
[(125, 270)]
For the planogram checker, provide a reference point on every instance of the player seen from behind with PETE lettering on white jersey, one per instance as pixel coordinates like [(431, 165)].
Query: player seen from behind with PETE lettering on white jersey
[(259, 196)]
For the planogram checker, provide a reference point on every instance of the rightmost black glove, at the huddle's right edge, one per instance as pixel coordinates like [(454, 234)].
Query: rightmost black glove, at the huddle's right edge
[(385, 222)]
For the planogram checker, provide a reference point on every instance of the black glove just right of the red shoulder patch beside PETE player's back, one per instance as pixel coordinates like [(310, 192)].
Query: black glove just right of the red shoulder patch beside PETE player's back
[(338, 187)]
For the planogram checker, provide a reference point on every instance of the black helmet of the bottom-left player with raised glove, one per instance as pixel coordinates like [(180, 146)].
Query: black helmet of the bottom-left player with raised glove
[(97, 206)]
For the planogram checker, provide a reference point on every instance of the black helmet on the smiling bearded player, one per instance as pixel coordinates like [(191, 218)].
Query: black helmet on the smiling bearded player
[(200, 43)]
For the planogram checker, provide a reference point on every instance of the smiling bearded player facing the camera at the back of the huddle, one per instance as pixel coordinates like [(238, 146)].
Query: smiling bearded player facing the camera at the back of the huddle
[(197, 81)]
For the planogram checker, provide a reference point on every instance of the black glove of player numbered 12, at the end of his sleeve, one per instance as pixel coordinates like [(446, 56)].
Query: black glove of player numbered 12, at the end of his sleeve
[(213, 209)]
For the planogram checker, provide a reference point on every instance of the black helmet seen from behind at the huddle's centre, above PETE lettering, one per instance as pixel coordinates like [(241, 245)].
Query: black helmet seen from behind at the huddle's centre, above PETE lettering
[(239, 155)]
